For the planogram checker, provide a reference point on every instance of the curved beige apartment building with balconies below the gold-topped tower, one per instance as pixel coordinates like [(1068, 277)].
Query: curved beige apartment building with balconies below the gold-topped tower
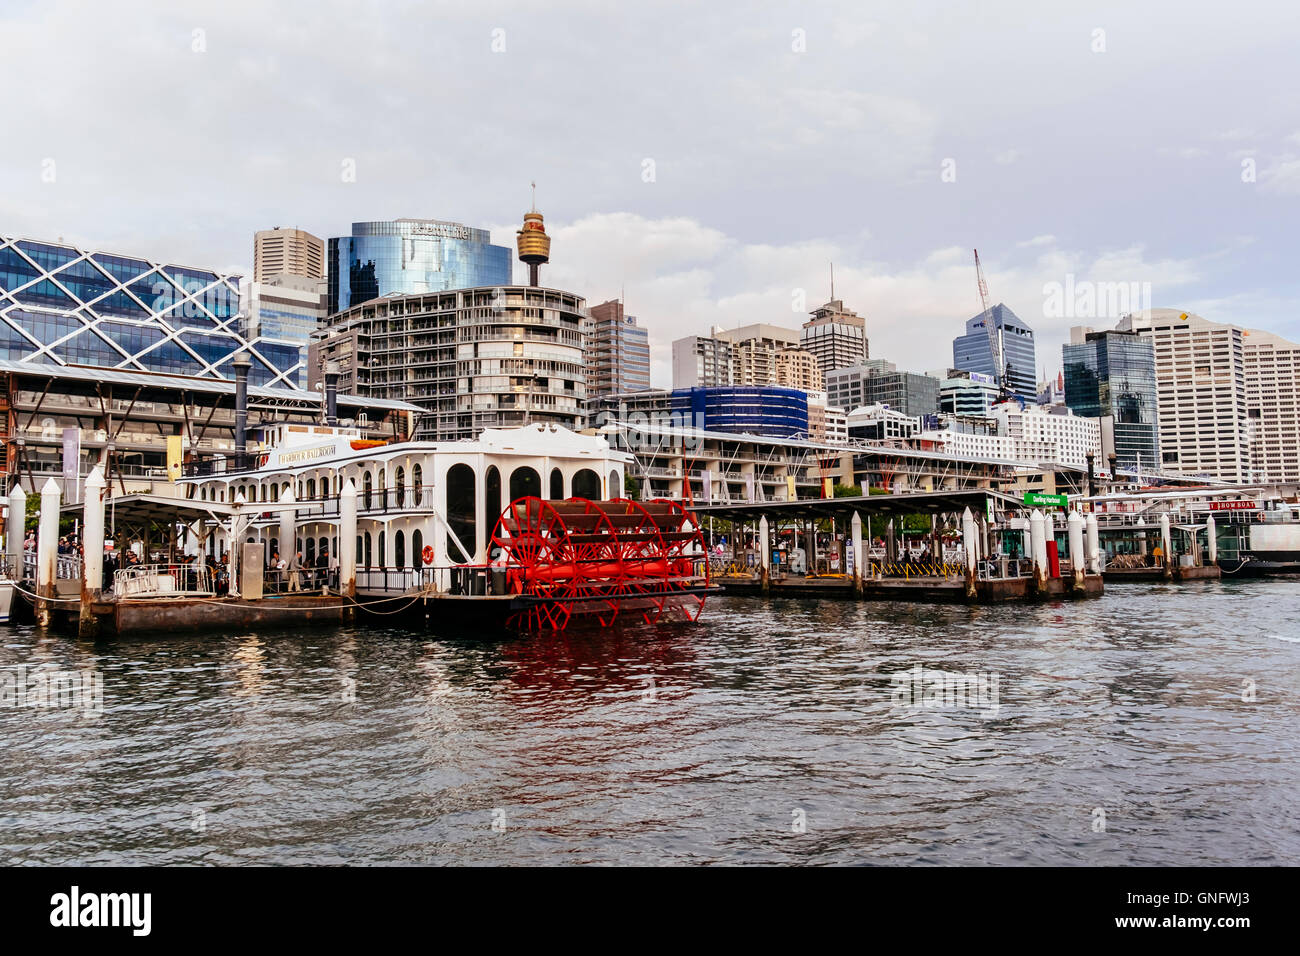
[(479, 358)]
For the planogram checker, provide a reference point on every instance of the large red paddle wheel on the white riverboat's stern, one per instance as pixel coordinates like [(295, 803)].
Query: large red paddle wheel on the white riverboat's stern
[(600, 560)]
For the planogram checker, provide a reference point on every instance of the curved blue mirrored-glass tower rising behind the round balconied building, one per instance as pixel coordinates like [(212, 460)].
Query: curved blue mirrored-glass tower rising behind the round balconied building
[(411, 257)]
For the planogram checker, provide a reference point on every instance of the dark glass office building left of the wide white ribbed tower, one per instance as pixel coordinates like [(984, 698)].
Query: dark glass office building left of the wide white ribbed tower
[(1112, 377)]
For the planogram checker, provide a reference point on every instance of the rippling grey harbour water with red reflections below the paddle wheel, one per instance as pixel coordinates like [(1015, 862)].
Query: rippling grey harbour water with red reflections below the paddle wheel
[(1156, 725)]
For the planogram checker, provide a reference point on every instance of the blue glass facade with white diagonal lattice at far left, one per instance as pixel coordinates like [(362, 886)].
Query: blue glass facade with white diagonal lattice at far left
[(62, 305)]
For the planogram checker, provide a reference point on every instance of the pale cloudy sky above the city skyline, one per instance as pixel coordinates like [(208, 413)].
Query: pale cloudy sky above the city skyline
[(708, 159)]
